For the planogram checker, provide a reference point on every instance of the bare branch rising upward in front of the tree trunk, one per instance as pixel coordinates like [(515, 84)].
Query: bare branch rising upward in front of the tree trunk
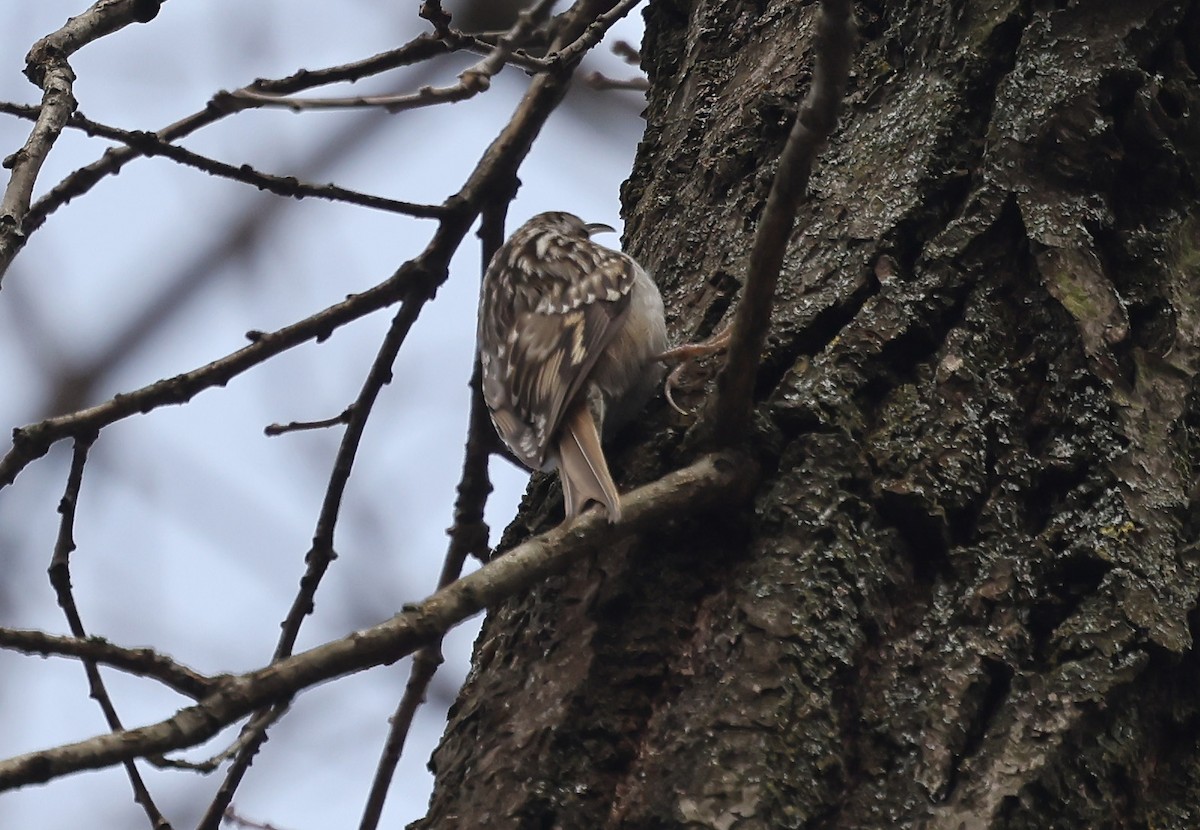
[(731, 411)]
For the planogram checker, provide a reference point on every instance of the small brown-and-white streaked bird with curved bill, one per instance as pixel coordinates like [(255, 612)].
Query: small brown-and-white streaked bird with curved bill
[(569, 336)]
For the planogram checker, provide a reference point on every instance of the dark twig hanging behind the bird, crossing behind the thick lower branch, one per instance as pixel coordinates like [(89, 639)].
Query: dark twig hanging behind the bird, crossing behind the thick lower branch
[(469, 537)]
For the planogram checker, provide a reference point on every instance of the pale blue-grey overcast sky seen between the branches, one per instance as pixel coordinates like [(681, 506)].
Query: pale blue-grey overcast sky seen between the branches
[(193, 526)]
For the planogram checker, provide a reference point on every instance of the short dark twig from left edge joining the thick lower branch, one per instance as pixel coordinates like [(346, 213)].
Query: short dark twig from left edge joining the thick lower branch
[(142, 663)]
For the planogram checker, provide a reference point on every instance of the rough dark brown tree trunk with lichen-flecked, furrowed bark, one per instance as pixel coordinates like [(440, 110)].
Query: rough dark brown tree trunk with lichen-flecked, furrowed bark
[(963, 596)]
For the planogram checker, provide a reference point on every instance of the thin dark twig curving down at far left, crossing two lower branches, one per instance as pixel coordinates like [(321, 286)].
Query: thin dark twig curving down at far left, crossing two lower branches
[(61, 579)]
